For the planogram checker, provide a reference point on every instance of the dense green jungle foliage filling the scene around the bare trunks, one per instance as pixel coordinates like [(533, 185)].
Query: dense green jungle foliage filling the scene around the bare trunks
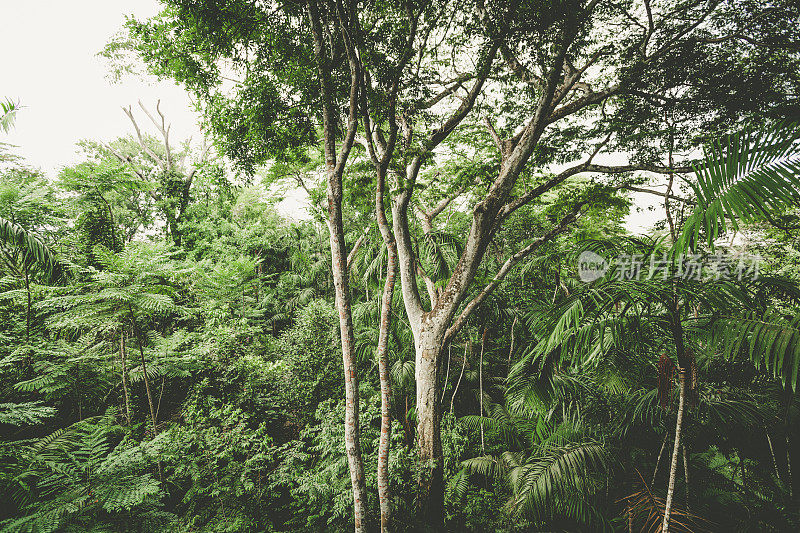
[(170, 350)]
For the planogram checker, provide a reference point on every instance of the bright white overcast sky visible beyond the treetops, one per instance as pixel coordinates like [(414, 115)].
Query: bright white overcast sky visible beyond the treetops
[(49, 64)]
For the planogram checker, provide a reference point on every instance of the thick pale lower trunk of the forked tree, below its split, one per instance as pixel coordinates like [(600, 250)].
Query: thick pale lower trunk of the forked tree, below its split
[(430, 495)]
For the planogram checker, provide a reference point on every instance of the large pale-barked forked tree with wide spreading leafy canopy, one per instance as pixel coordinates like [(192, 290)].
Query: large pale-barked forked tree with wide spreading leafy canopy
[(550, 80)]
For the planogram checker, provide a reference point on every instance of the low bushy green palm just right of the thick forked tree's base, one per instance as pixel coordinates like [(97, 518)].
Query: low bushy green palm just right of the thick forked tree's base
[(551, 461)]
